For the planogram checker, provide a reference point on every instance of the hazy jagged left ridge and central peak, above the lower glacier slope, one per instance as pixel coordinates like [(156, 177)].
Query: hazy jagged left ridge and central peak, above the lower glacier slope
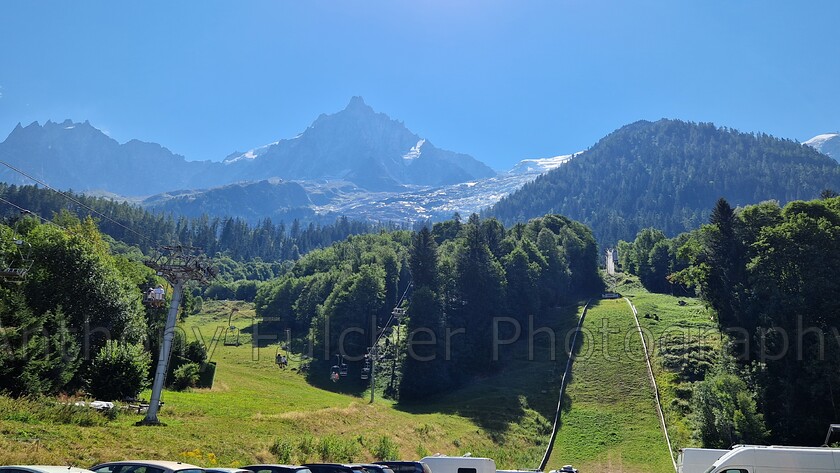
[(356, 145)]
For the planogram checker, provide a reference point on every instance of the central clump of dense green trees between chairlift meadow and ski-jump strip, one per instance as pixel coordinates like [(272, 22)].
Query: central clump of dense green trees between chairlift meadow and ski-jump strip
[(463, 277)]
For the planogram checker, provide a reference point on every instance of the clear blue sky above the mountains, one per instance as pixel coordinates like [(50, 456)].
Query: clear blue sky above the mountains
[(500, 80)]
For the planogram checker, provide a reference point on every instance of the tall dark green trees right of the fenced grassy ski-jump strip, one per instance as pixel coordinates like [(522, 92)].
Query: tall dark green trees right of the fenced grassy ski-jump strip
[(769, 274)]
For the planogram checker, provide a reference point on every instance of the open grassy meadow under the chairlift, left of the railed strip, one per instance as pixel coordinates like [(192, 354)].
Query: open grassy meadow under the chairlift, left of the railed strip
[(256, 412)]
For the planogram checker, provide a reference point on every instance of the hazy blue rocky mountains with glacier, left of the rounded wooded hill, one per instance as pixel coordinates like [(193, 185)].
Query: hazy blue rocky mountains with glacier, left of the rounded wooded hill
[(355, 162)]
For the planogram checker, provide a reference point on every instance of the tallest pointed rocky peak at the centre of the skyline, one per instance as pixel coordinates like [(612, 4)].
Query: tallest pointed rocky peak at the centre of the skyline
[(359, 145)]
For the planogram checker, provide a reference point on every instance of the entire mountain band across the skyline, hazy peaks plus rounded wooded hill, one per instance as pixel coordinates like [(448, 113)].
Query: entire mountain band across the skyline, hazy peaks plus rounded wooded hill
[(365, 165)]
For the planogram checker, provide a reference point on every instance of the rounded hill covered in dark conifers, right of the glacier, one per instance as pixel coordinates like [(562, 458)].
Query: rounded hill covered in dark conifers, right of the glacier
[(668, 174)]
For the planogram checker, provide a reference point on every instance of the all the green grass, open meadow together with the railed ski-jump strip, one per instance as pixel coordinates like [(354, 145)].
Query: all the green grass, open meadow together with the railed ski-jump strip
[(257, 412)]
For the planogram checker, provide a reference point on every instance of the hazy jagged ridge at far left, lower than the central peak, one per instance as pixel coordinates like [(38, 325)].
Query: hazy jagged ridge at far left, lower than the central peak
[(78, 156)]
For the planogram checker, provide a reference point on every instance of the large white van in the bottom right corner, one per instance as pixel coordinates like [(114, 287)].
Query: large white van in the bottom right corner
[(754, 459)]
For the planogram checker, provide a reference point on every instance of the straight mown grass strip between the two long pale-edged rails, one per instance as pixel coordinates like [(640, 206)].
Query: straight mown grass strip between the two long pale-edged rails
[(609, 422)]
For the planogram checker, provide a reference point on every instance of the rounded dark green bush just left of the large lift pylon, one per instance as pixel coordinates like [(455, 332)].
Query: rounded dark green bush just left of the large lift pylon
[(119, 371)]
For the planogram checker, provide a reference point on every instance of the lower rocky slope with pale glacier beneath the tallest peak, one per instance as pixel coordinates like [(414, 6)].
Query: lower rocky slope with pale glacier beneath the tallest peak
[(254, 201)]
